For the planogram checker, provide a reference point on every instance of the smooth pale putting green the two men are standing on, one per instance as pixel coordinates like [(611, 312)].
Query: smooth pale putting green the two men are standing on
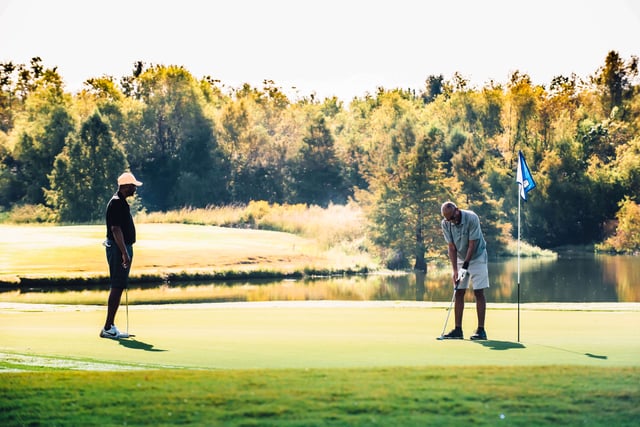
[(317, 335)]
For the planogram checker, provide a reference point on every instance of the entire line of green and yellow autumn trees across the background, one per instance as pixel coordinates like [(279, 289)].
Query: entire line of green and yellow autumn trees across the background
[(398, 153)]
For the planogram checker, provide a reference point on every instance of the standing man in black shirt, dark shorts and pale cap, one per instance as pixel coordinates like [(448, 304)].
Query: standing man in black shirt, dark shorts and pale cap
[(121, 235)]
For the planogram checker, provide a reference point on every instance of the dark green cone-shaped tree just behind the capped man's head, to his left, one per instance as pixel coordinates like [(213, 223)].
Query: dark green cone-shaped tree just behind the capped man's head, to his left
[(84, 174)]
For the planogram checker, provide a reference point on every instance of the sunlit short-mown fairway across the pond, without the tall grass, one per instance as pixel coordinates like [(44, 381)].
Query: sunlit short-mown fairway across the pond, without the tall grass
[(57, 254)]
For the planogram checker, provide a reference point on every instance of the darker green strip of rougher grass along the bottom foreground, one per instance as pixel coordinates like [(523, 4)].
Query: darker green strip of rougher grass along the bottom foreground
[(321, 397)]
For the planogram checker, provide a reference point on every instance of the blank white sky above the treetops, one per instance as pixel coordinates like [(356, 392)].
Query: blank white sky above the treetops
[(343, 48)]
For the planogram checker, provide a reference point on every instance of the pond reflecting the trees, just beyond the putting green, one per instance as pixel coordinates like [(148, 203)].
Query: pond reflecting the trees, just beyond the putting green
[(569, 278)]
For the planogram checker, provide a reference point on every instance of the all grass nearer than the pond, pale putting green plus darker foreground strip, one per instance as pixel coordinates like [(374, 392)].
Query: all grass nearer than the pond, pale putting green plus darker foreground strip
[(317, 364)]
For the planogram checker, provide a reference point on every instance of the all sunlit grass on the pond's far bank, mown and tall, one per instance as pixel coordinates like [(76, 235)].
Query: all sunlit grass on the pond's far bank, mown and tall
[(305, 241)]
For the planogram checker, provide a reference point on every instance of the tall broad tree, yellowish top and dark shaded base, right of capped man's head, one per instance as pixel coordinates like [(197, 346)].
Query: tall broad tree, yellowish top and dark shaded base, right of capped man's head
[(175, 148)]
